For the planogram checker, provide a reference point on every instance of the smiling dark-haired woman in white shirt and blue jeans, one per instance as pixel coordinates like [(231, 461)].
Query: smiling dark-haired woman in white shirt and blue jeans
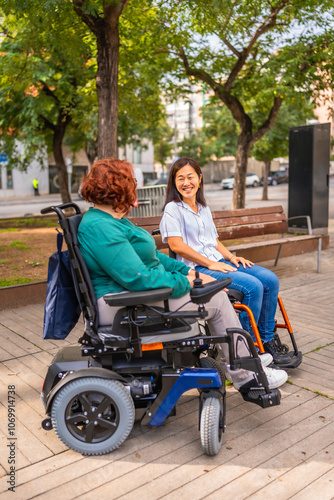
[(188, 228)]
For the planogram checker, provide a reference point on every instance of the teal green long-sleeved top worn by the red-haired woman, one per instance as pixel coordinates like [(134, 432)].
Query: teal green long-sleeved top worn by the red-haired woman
[(121, 256)]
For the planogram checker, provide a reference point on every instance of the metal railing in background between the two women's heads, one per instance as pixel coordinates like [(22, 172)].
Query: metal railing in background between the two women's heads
[(150, 201)]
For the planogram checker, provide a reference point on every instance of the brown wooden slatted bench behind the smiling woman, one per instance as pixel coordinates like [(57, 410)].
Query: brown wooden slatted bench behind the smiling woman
[(244, 223)]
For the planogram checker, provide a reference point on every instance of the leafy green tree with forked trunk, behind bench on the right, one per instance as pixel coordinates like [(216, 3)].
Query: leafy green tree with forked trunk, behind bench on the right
[(253, 56)]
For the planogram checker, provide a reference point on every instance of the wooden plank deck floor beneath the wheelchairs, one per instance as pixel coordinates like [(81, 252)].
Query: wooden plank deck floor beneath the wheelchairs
[(281, 453)]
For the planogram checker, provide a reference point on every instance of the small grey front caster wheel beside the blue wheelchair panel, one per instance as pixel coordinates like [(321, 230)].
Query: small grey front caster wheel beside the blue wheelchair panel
[(212, 426)]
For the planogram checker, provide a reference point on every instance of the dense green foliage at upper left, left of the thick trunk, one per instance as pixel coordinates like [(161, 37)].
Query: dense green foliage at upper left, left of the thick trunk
[(41, 81)]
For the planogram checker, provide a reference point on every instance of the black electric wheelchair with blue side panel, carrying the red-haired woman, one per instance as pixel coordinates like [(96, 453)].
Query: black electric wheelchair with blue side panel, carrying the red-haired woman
[(136, 369)]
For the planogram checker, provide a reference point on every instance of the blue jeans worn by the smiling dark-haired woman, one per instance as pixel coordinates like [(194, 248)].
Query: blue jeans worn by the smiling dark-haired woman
[(260, 288)]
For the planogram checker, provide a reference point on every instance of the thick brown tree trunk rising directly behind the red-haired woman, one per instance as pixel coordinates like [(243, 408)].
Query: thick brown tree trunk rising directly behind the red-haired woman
[(107, 88)]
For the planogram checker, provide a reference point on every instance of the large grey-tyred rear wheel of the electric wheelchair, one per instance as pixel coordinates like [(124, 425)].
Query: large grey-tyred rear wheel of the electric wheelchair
[(93, 416)]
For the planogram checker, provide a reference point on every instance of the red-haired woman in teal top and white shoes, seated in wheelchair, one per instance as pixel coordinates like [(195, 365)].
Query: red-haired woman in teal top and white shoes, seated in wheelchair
[(123, 257)]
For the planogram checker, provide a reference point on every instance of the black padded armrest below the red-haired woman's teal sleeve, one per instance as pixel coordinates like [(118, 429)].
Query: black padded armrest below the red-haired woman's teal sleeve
[(136, 298)]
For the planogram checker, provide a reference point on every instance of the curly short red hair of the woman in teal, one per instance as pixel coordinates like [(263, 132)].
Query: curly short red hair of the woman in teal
[(111, 182)]
